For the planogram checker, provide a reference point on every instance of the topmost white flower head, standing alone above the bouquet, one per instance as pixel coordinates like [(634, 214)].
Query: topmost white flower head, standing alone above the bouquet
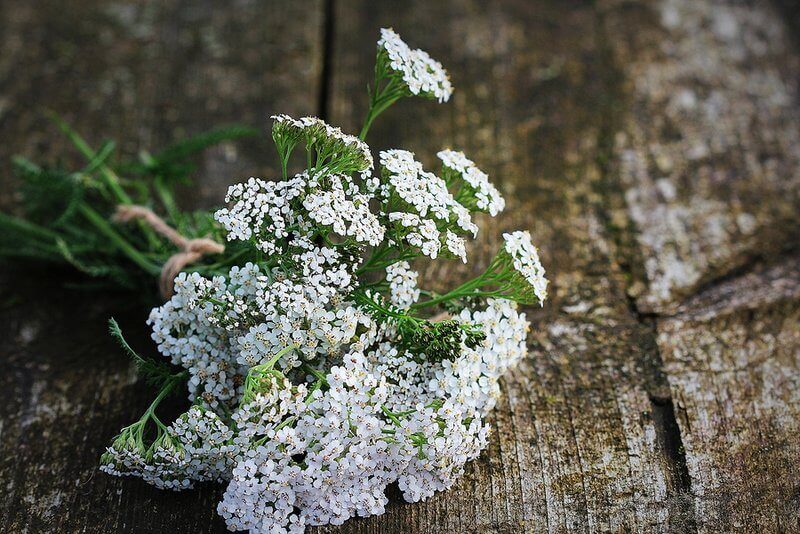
[(421, 73)]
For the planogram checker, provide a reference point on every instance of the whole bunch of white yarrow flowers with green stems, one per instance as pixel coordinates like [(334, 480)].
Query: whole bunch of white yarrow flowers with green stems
[(318, 372)]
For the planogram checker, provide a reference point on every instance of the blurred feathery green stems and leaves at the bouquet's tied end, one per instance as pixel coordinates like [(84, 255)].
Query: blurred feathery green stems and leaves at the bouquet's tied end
[(66, 215)]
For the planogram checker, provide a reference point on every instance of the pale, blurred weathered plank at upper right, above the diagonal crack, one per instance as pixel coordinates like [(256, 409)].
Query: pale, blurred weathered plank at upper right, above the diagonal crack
[(710, 154)]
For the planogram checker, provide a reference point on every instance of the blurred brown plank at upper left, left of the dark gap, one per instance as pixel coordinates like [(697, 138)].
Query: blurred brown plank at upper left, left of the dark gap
[(146, 74)]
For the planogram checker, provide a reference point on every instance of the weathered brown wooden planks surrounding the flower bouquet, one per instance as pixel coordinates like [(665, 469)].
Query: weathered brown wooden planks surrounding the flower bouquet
[(653, 151)]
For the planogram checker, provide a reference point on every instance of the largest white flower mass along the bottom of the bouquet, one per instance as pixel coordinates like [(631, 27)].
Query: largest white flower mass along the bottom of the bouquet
[(311, 458)]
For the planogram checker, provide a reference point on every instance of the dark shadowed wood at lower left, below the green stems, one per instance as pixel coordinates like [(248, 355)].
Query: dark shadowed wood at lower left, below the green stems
[(68, 390)]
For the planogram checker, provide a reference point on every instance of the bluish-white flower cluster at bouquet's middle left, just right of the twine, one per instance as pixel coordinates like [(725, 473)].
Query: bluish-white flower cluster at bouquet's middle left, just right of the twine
[(217, 329)]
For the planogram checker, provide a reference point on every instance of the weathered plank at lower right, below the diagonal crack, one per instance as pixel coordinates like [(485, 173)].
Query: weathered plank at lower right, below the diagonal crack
[(733, 361)]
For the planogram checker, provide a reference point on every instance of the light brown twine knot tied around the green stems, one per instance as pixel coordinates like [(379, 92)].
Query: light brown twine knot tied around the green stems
[(190, 251)]
